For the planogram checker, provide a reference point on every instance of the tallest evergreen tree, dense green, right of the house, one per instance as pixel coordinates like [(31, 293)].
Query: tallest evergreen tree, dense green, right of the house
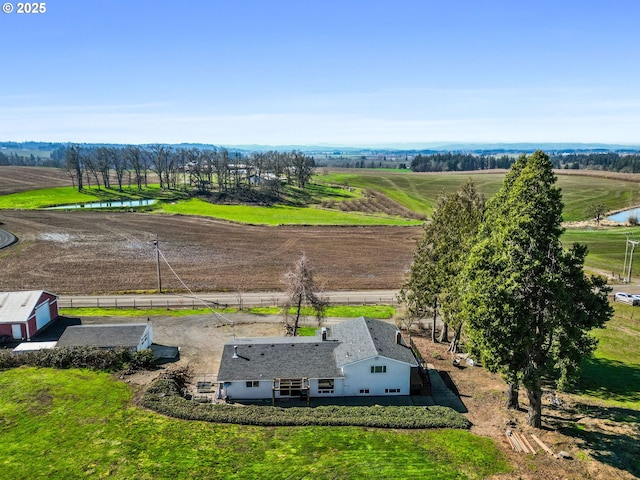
[(527, 301)]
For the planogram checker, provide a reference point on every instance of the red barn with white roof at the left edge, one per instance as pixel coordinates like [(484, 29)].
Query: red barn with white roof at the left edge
[(23, 314)]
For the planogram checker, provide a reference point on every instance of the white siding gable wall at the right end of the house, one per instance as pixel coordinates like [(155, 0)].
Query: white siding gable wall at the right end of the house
[(358, 376)]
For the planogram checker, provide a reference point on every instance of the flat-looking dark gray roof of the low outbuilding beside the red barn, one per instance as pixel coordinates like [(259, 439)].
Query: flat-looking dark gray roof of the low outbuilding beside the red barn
[(104, 336)]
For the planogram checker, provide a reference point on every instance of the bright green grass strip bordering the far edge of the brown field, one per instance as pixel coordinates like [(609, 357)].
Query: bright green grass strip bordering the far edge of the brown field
[(280, 214)]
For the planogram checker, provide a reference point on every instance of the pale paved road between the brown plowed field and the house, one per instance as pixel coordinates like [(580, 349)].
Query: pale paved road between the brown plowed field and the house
[(248, 299)]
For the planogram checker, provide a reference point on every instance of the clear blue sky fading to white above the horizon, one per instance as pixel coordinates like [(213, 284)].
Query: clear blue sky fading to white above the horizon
[(322, 72)]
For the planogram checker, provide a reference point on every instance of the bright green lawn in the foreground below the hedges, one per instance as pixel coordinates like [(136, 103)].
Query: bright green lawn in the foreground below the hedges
[(80, 424)]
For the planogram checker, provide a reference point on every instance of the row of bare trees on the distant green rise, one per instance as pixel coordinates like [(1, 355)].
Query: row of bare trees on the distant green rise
[(202, 170)]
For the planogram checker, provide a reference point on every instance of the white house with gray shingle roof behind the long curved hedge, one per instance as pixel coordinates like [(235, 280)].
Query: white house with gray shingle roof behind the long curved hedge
[(360, 357)]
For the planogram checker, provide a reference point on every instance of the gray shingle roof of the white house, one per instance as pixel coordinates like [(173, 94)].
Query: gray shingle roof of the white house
[(295, 357)]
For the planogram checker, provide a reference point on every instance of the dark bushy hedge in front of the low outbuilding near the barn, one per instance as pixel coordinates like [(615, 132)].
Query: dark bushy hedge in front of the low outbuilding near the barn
[(74, 357)]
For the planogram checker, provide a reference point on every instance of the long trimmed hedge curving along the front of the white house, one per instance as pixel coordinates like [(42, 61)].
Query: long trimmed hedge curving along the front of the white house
[(164, 397)]
